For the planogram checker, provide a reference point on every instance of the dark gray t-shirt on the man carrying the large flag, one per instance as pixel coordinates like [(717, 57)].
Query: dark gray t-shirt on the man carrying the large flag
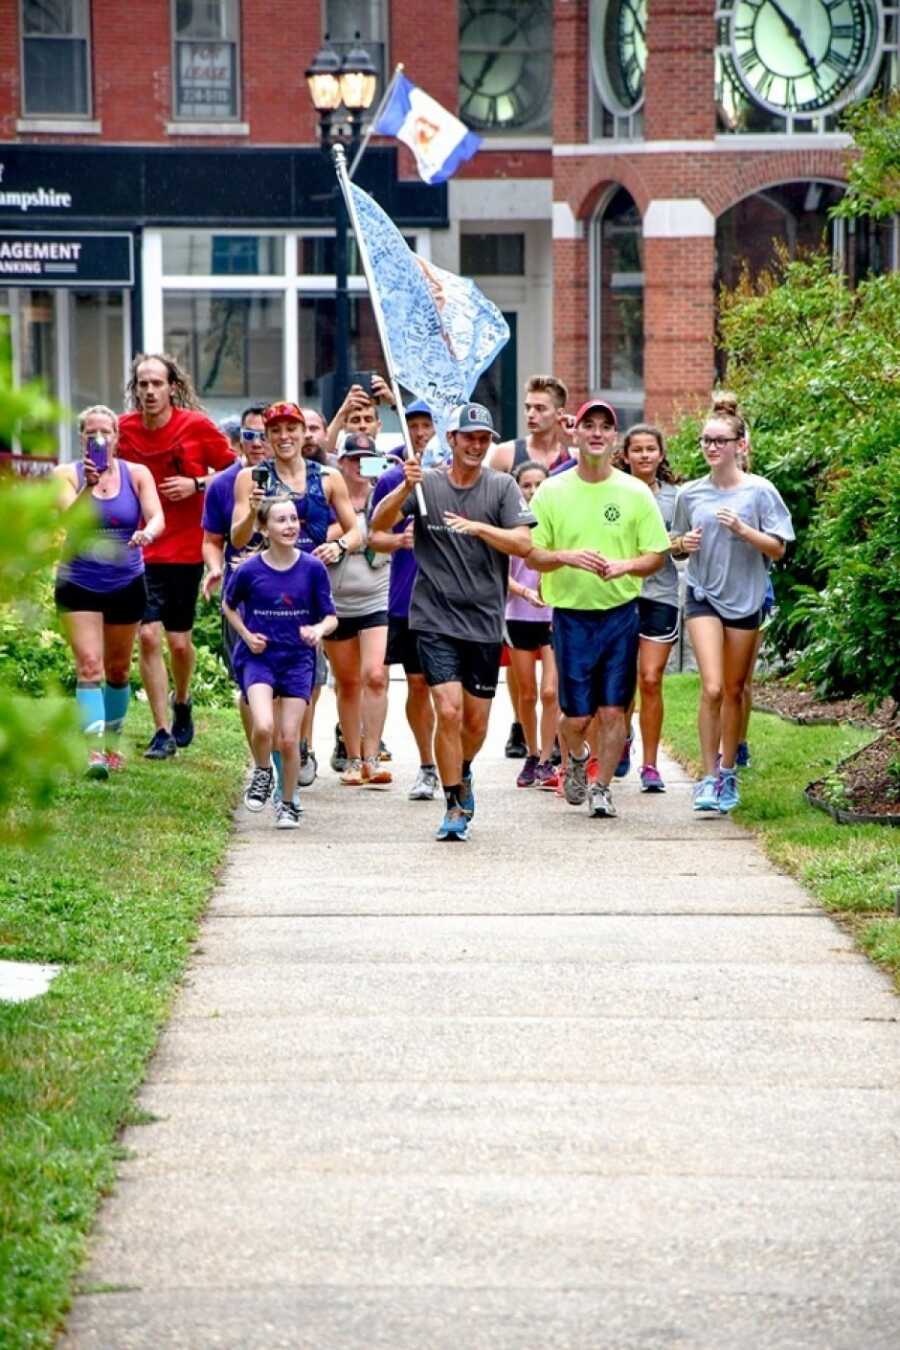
[(461, 585)]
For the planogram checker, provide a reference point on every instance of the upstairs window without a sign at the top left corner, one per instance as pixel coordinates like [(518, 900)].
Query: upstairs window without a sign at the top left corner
[(56, 37)]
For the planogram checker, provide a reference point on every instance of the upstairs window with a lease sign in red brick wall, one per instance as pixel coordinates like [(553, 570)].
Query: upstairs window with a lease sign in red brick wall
[(206, 65)]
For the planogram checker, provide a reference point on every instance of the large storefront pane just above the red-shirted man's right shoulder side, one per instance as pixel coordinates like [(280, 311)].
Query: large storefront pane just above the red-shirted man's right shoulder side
[(231, 342)]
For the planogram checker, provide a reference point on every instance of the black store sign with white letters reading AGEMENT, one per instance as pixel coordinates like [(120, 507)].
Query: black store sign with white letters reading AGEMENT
[(41, 259)]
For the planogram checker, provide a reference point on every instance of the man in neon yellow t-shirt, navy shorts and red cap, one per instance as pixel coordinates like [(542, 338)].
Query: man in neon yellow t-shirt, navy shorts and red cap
[(598, 535)]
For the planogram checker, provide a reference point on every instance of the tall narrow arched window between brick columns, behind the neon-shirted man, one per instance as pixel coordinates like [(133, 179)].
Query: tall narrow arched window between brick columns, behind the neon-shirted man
[(617, 306)]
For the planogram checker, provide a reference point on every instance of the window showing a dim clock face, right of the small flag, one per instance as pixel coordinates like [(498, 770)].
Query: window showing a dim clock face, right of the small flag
[(505, 64)]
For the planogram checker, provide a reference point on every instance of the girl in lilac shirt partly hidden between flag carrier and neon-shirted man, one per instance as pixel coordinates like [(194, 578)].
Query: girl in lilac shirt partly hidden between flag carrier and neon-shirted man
[(528, 626)]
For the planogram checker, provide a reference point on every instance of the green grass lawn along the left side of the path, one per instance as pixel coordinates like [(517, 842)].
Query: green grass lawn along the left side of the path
[(113, 894)]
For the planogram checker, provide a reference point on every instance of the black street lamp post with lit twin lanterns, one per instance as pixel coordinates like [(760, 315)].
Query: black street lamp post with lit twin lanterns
[(335, 86)]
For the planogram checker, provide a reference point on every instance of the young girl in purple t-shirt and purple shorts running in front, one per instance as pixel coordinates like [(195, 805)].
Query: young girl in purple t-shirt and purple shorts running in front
[(288, 610)]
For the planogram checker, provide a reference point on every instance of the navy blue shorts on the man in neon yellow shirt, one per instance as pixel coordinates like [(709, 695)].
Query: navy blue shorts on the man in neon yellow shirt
[(596, 657)]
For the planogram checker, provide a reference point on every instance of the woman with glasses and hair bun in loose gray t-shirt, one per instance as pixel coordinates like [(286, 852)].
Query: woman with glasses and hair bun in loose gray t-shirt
[(732, 526)]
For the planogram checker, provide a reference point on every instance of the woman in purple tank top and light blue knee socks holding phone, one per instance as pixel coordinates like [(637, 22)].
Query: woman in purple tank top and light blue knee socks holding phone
[(101, 593)]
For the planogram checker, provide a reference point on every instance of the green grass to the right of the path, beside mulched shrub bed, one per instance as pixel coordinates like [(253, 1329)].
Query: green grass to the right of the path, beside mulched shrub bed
[(849, 869)]
